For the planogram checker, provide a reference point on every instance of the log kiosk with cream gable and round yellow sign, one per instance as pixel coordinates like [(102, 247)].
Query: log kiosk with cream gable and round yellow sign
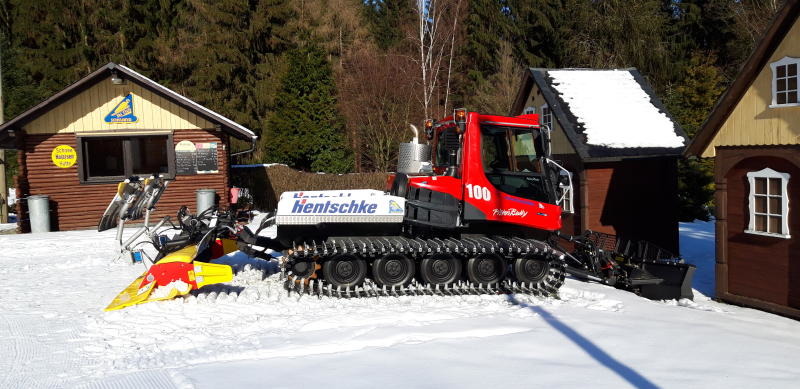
[(112, 124)]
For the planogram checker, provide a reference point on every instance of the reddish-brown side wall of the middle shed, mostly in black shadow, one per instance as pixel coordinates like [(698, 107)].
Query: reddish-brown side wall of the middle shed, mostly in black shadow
[(636, 199)]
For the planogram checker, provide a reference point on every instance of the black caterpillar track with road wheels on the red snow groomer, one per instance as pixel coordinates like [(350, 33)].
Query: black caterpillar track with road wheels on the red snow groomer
[(538, 268)]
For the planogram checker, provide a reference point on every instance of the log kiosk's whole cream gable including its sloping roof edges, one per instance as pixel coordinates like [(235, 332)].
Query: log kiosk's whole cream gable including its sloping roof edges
[(82, 107)]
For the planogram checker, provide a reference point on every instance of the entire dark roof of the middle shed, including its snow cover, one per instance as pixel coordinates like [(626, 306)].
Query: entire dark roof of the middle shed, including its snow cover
[(607, 114)]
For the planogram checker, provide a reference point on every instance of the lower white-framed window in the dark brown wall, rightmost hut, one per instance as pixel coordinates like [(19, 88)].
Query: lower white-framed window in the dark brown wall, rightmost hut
[(768, 203)]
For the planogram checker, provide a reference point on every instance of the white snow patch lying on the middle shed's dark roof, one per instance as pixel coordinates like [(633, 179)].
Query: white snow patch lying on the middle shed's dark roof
[(614, 109)]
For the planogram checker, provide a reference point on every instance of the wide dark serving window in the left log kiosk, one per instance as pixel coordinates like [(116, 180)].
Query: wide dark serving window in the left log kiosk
[(113, 158)]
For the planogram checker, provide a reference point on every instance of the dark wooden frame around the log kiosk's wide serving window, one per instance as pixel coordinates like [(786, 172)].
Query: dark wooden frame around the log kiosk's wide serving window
[(127, 156)]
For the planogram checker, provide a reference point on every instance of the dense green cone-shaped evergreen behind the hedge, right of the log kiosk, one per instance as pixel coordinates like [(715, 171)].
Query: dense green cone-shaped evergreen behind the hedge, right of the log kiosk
[(306, 130)]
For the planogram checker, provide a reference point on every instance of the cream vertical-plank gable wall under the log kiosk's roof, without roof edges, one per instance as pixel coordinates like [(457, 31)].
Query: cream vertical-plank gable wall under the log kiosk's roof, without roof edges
[(86, 112)]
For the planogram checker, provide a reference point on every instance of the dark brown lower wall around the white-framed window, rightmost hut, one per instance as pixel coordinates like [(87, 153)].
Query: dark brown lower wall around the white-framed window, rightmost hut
[(760, 267)]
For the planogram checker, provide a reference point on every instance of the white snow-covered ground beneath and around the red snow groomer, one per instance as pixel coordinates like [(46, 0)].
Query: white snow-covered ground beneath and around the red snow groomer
[(53, 332)]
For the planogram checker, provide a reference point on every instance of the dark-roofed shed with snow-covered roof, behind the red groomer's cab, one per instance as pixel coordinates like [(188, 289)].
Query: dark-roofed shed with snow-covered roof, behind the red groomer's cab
[(611, 131)]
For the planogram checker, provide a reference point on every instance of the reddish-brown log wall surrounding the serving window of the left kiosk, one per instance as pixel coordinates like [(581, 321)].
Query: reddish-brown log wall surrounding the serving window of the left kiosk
[(79, 206)]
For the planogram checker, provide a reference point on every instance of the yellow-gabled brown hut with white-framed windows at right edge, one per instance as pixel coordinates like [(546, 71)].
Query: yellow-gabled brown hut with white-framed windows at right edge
[(753, 134)]
